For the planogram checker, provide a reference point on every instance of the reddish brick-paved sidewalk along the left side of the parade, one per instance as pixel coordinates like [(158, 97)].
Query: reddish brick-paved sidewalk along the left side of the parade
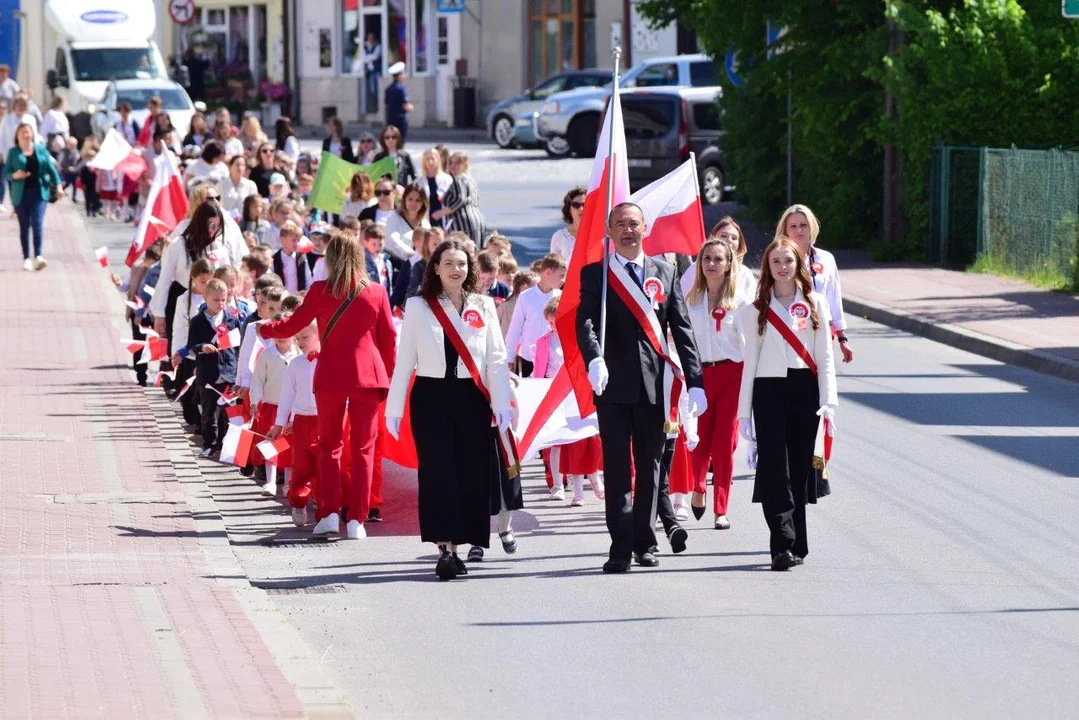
[(117, 599)]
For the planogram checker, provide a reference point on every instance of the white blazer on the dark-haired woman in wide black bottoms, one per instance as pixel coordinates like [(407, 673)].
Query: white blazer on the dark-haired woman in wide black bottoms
[(421, 349)]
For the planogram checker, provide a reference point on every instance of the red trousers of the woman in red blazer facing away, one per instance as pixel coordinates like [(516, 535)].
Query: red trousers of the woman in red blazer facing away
[(362, 405)]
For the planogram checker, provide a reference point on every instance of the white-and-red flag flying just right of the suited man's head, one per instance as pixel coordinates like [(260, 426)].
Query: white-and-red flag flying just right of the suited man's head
[(674, 213)]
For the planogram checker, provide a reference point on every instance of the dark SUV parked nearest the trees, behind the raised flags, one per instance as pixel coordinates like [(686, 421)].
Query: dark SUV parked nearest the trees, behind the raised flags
[(664, 126)]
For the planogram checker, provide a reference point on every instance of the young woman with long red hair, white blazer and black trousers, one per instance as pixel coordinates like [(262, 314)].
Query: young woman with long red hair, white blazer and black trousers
[(788, 386)]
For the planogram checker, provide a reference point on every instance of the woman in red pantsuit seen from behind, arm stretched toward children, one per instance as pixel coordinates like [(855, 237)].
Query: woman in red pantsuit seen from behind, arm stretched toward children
[(356, 364)]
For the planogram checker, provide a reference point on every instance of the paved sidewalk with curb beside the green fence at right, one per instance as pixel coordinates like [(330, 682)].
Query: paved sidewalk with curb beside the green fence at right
[(1005, 320)]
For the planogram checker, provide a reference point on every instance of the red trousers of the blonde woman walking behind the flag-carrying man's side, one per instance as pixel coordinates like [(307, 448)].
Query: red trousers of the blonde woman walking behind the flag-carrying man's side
[(718, 430)]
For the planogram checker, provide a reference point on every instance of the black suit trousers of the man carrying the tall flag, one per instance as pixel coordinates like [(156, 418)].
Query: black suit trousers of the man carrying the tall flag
[(632, 522)]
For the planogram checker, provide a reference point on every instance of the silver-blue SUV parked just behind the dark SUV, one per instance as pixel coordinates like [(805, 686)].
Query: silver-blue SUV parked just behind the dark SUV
[(576, 116)]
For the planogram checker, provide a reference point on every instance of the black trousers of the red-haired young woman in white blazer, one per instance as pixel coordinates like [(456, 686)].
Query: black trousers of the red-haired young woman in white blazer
[(785, 417)]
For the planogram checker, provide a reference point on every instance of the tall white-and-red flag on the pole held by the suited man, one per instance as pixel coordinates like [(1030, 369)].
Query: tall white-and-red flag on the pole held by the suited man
[(609, 167)]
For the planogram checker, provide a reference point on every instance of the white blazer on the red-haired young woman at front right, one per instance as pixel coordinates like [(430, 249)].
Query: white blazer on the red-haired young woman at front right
[(770, 357)]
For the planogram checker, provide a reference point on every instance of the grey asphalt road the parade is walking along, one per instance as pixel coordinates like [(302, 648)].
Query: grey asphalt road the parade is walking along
[(943, 579)]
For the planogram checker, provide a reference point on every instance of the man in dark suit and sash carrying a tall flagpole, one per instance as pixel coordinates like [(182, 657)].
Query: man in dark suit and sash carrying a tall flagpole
[(637, 395)]
